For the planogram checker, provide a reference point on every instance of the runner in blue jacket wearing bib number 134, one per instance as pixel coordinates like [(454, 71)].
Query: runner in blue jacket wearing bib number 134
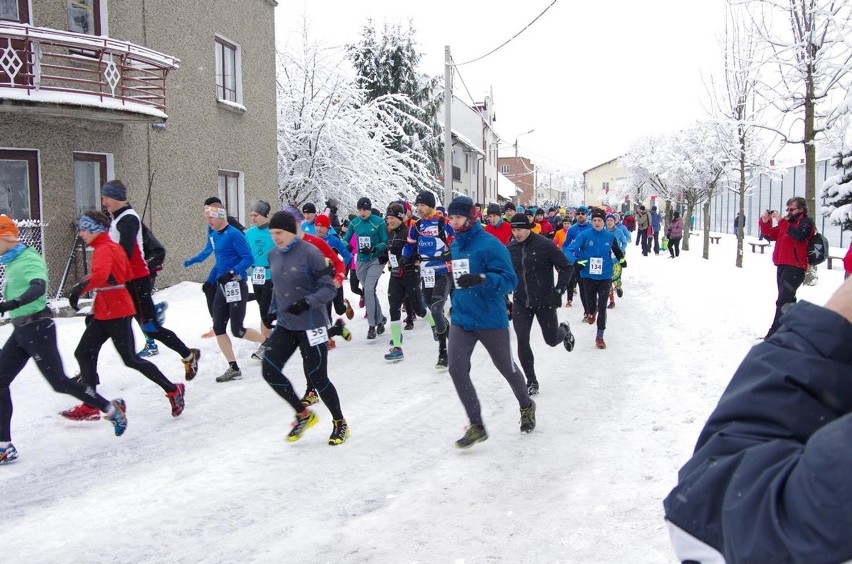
[(593, 250)]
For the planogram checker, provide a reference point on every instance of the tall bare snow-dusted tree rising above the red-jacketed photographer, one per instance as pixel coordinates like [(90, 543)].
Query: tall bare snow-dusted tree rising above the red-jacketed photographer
[(812, 59)]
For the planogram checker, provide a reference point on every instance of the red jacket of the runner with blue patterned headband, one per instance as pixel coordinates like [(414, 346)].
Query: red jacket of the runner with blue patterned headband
[(110, 270)]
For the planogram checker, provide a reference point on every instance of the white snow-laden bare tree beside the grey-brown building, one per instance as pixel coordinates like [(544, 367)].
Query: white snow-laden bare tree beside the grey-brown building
[(332, 141)]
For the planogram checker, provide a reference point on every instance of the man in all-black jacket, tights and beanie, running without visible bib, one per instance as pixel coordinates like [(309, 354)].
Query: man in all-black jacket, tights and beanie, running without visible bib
[(534, 257)]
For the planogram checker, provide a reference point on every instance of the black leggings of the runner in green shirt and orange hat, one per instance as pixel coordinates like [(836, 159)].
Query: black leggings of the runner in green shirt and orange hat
[(37, 340)]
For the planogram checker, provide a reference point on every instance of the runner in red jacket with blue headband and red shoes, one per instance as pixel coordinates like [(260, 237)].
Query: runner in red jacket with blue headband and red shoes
[(111, 317)]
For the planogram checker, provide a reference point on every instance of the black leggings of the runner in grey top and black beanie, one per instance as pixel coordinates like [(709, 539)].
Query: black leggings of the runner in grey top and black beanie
[(281, 346)]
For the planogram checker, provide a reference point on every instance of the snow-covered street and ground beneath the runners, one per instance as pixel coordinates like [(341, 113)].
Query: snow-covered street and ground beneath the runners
[(221, 484)]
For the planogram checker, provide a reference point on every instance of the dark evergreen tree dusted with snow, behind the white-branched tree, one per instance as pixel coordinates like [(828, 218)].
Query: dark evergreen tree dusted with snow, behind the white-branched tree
[(387, 65)]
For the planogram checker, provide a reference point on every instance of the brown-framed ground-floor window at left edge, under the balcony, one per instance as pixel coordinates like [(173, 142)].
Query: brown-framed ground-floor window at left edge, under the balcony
[(19, 188)]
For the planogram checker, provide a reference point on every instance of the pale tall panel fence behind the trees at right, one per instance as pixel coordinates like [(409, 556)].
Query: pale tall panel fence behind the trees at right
[(769, 193)]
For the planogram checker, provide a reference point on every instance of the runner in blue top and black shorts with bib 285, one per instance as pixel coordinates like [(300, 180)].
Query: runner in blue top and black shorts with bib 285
[(233, 258)]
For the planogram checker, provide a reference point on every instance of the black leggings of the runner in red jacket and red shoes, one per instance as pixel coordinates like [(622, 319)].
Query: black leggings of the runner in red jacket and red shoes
[(121, 333)]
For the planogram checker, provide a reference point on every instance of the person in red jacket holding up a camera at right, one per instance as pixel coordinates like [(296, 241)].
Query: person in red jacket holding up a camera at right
[(792, 235)]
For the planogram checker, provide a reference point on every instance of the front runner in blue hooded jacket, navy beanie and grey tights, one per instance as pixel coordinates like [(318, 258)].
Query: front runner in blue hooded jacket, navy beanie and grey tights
[(483, 274)]
